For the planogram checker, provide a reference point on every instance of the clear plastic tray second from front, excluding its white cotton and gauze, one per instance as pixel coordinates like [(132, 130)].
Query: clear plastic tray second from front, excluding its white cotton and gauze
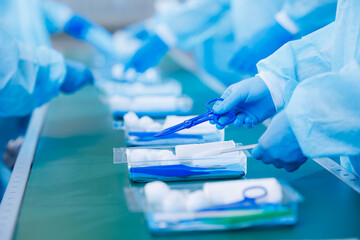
[(180, 169)]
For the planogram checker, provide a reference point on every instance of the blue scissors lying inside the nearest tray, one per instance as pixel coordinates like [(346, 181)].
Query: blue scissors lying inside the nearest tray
[(249, 201)]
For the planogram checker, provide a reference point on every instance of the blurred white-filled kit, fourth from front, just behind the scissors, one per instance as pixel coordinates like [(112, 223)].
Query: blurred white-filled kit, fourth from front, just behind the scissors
[(153, 106)]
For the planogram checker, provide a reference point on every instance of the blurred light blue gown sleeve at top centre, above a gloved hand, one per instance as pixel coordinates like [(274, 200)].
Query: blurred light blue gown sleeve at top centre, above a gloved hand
[(193, 23)]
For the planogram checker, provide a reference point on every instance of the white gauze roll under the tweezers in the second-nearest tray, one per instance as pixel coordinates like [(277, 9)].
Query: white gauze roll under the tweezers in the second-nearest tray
[(187, 151)]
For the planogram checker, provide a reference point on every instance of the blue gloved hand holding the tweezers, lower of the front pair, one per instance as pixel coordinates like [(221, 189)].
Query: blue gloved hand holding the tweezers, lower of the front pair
[(279, 146)]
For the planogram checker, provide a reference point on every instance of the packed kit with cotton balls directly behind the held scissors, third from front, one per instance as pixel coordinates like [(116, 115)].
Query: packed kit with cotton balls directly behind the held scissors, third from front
[(141, 131)]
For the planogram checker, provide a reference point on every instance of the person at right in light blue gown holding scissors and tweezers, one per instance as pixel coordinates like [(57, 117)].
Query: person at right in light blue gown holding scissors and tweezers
[(314, 85)]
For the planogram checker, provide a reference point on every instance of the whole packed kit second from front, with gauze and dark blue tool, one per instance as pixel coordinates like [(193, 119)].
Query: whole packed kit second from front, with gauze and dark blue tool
[(180, 162)]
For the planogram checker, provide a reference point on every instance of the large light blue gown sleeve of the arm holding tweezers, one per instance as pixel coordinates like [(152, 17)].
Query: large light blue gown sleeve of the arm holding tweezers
[(331, 126)]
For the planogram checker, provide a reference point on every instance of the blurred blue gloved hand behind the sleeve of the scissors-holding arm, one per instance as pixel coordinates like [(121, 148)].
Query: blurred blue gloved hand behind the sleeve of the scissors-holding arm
[(261, 45)]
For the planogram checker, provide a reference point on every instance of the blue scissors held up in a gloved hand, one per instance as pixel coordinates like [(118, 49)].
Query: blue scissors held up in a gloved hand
[(210, 115)]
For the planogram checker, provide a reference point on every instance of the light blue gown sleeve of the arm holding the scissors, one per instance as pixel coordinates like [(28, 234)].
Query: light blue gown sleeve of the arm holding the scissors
[(295, 62)]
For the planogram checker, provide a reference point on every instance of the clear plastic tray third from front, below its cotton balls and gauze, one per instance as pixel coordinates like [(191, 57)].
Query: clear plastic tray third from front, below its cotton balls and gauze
[(136, 137)]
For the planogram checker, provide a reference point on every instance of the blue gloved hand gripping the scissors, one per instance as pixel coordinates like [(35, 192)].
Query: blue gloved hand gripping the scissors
[(250, 100)]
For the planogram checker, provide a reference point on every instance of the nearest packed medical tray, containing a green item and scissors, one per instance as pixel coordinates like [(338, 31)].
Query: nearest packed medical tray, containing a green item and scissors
[(171, 208)]
